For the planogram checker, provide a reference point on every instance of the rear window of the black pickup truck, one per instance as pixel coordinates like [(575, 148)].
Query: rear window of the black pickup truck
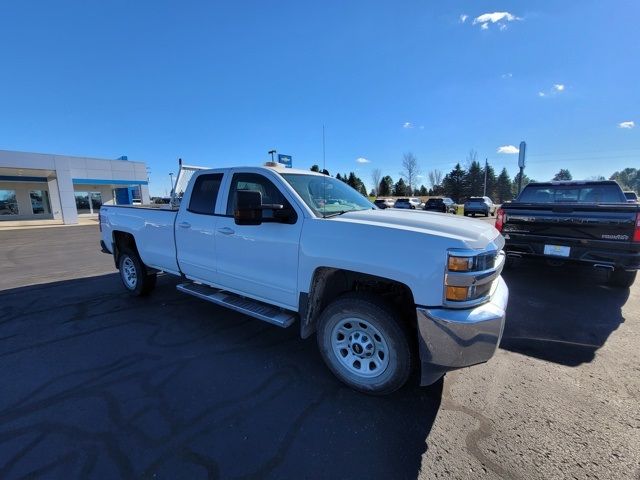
[(571, 194)]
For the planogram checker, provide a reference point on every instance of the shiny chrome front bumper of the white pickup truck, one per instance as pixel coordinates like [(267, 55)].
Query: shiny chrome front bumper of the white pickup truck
[(451, 338)]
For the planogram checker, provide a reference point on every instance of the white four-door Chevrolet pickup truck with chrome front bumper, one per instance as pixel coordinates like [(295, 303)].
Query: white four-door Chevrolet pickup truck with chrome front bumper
[(384, 290)]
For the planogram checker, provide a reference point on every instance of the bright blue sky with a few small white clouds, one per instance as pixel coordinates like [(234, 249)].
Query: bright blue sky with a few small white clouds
[(221, 83)]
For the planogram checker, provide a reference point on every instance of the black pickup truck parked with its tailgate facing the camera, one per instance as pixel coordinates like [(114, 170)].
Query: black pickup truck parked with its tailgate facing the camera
[(589, 222)]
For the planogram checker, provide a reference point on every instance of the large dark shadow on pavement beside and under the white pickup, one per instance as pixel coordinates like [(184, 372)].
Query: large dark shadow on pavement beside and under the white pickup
[(95, 383)]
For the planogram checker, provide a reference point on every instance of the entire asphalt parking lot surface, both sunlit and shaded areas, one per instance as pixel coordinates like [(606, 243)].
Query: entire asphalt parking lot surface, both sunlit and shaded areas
[(98, 384)]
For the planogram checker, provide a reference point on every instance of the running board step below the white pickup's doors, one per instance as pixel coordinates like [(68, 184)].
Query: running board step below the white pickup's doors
[(253, 308)]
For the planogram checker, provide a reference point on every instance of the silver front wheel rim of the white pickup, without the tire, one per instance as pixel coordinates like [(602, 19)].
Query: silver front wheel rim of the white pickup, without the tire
[(360, 347)]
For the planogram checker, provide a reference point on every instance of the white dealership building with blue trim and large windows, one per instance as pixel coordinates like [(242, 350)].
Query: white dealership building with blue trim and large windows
[(38, 186)]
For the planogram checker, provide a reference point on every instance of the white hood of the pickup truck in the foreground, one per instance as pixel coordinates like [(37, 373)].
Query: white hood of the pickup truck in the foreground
[(473, 233)]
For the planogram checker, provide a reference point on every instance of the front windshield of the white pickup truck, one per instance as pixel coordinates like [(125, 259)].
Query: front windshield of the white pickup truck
[(326, 195)]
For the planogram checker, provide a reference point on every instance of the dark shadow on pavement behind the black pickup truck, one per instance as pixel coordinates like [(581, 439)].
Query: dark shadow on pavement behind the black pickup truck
[(560, 314)]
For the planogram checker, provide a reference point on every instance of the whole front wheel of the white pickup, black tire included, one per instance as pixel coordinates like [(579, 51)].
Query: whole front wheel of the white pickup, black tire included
[(376, 319)]
